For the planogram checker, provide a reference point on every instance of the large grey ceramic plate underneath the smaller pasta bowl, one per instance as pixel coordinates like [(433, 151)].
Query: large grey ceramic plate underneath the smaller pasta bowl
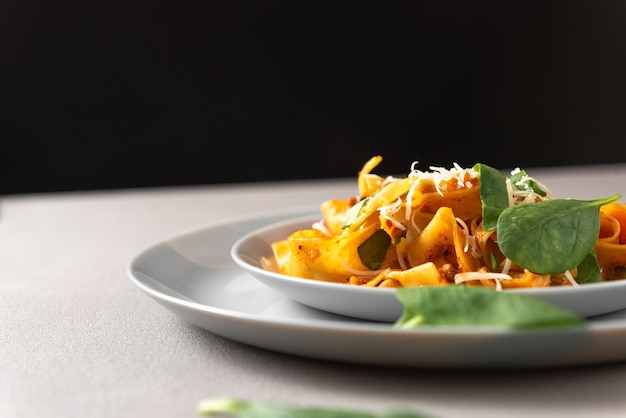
[(193, 276)]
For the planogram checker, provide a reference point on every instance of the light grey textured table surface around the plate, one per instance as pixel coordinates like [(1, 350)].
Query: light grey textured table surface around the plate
[(79, 339)]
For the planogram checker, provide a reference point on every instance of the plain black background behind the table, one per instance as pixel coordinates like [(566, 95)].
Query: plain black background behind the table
[(108, 94)]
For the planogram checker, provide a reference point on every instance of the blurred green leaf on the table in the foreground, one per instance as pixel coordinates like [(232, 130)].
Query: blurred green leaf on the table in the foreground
[(233, 407)]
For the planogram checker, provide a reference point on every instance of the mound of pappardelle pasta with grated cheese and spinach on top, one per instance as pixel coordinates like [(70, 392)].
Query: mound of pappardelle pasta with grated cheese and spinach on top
[(471, 226)]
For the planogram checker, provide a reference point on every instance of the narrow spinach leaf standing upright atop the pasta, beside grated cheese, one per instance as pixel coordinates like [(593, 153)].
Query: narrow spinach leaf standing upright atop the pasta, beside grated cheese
[(493, 195)]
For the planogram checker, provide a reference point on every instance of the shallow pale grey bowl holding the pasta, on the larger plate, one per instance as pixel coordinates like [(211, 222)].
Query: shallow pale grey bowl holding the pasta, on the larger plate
[(380, 304)]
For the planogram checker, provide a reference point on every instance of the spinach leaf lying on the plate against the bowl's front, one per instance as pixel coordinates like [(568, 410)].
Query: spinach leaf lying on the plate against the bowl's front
[(479, 306)]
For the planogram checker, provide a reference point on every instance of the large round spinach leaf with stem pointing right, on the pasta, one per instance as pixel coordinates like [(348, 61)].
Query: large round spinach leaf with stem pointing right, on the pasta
[(550, 236)]
